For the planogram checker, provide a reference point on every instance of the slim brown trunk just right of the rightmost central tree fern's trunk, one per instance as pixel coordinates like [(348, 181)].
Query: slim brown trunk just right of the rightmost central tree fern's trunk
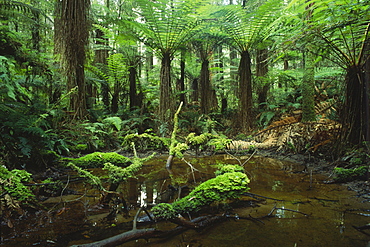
[(261, 72)]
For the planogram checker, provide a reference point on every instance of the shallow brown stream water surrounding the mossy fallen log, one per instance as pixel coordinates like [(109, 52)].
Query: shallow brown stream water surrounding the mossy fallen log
[(308, 211)]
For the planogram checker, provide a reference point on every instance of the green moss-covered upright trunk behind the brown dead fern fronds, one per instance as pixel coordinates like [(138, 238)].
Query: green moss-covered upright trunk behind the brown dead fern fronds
[(308, 88)]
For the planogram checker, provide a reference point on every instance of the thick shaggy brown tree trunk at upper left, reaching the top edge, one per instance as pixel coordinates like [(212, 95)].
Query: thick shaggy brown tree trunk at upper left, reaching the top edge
[(74, 38)]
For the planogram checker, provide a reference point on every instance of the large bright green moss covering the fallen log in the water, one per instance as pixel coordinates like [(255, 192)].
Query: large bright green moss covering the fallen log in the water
[(226, 186)]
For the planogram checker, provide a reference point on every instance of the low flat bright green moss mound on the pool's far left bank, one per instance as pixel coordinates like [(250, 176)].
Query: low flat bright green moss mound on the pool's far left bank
[(98, 159)]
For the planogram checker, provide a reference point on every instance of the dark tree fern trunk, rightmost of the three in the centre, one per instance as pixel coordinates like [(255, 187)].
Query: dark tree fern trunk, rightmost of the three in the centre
[(245, 92)]
